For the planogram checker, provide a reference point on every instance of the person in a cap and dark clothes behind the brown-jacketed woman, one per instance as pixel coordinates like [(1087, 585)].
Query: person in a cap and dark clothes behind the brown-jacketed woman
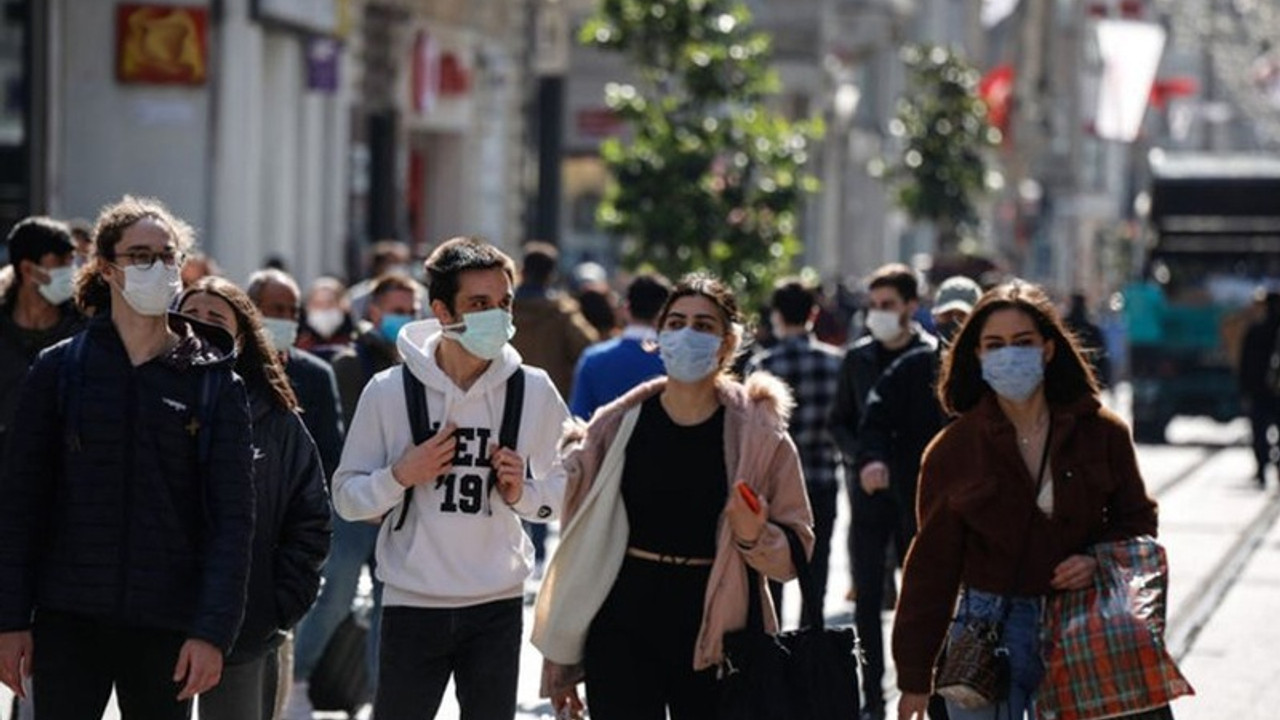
[(902, 417)]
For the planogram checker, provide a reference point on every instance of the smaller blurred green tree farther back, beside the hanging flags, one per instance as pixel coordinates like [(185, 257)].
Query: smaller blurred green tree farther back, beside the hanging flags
[(947, 138)]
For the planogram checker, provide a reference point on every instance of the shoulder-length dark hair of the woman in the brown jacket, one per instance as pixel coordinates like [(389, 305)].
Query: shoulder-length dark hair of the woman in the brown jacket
[(1068, 376)]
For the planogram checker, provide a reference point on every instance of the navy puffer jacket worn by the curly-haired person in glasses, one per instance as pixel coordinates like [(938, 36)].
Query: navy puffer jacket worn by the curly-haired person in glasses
[(118, 521)]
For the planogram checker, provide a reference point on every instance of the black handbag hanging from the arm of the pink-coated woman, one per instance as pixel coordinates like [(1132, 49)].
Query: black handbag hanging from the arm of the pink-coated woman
[(806, 675)]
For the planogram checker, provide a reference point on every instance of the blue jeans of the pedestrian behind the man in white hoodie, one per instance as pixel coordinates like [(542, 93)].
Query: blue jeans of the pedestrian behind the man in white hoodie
[(351, 549)]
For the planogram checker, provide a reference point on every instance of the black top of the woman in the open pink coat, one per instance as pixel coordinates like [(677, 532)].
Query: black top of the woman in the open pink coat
[(675, 484)]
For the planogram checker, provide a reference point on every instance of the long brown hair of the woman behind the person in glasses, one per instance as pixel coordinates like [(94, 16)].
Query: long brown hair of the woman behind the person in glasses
[(257, 363)]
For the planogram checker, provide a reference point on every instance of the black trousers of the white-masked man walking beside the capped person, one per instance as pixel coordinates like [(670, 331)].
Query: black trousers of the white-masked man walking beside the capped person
[(876, 526)]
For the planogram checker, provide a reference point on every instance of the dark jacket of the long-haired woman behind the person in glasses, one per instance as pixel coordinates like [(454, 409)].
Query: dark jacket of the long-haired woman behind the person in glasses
[(292, 528)]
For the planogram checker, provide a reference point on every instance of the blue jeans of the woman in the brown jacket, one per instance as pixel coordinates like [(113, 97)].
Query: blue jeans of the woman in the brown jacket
[(1022, 639)]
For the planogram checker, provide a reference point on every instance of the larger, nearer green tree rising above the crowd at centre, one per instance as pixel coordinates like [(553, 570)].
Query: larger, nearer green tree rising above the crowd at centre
[(710, 179)]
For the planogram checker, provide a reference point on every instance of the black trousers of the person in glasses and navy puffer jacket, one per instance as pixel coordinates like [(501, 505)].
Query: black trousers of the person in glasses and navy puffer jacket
[(77, 660)]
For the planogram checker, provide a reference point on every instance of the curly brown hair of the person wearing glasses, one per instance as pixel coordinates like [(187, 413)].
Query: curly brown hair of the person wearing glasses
[(93, 293)]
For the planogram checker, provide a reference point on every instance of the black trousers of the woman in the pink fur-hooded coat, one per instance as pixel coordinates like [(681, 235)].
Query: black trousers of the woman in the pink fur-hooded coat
[(639, 657)]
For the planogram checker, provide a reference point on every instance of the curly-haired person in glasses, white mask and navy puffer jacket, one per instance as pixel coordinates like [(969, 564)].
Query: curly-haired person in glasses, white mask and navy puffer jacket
[(135, 438)]
